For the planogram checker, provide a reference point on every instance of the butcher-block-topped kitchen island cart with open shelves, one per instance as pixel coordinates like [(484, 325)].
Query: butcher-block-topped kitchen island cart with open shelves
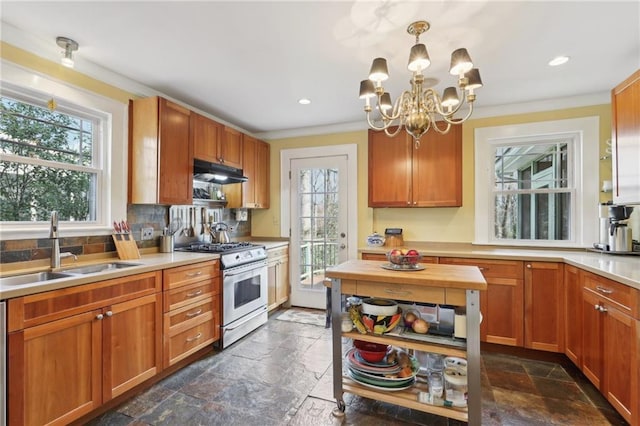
[(453, 285)]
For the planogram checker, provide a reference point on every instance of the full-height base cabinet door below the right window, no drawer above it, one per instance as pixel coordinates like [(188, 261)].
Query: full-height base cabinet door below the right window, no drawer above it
[(543, 306)]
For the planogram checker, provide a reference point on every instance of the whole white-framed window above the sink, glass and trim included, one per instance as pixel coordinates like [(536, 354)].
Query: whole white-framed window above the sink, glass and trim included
[(69, 156)]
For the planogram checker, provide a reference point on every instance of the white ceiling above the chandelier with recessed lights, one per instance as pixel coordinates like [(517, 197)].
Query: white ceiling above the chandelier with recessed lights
[(248, 63)]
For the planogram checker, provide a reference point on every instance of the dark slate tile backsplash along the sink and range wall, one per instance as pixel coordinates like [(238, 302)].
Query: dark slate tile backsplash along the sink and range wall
[(138, 215)]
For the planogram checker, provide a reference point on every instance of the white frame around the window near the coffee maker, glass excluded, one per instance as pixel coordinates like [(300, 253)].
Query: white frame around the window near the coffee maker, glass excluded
[(583, 134)]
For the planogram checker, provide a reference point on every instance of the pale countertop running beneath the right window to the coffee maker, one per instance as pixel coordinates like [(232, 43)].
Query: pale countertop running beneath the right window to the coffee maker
[(622, 268)]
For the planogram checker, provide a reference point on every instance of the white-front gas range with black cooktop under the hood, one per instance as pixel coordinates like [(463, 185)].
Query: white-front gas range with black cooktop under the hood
[(244, 286)]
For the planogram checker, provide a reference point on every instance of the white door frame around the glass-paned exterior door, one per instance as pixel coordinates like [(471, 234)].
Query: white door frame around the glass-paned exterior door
[(351, 152)]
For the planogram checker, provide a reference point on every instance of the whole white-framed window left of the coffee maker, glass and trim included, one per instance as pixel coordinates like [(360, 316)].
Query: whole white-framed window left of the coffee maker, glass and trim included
[(534, 184)]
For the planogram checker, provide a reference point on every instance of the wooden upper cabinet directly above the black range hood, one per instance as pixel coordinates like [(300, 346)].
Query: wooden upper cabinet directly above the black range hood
[(216, 143)]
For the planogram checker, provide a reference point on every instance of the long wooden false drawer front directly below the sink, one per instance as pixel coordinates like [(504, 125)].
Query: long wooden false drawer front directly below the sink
[(40, 308)]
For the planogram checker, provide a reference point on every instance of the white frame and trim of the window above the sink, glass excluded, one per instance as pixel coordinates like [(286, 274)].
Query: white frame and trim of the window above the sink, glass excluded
[(110, 156)]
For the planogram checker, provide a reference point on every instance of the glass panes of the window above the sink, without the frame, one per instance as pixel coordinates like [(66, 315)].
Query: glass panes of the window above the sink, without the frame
[(49, 162)]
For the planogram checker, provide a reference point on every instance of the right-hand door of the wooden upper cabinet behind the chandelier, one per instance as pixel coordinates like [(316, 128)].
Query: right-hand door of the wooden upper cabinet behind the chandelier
[(437, 170)]
